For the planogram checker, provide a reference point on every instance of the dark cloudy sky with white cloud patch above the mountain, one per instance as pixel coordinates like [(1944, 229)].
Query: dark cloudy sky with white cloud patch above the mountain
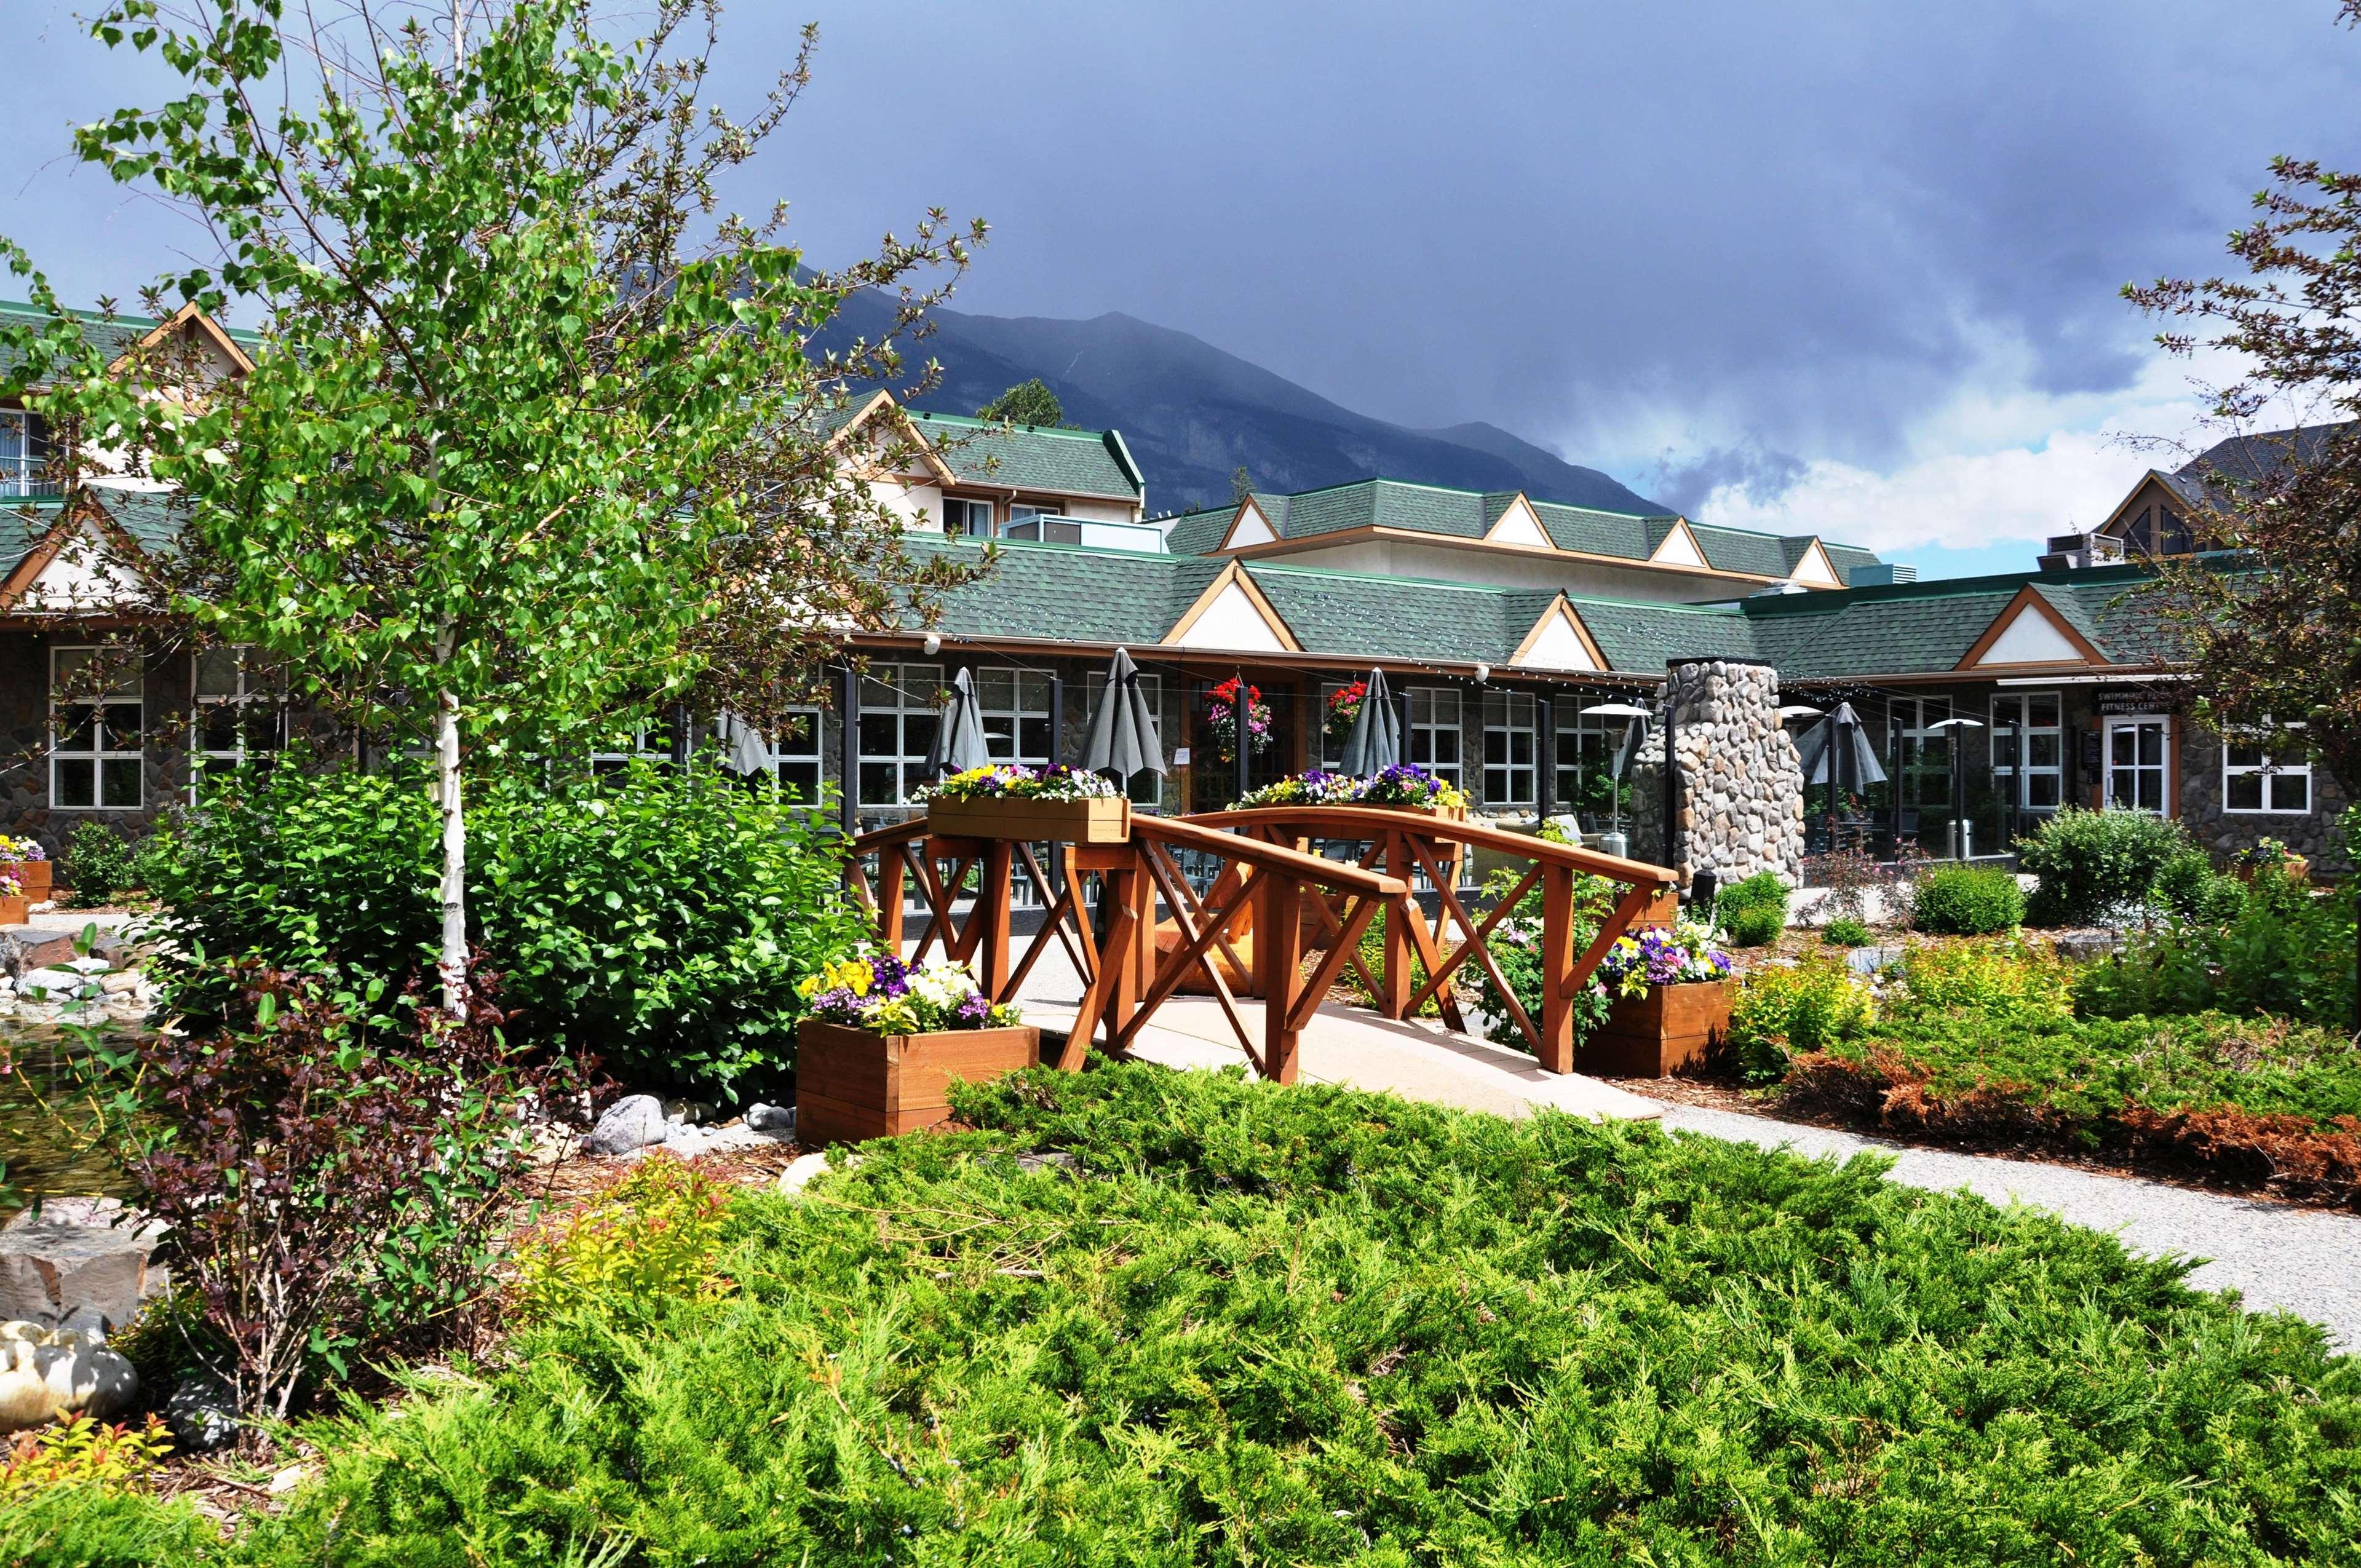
[(1817, 268)]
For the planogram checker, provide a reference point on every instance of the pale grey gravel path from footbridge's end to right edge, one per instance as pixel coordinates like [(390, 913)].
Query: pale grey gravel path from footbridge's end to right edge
[(2277, 1257)]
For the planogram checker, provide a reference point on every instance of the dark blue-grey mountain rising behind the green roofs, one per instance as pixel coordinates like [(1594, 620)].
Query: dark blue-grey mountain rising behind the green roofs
[(1196, 414)]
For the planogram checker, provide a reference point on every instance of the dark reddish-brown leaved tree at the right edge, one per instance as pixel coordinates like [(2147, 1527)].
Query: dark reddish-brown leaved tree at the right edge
[(2277, 639)]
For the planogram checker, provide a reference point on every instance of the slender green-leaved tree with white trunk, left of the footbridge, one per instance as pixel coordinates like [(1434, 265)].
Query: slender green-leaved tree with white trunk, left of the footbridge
[(535, 445)]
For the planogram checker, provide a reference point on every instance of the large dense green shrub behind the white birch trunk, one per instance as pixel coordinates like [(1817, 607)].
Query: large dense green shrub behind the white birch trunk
[(650, 917)]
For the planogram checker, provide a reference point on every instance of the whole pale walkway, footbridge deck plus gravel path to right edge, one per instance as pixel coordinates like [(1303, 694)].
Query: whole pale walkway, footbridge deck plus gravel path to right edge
[(2277, 1257)]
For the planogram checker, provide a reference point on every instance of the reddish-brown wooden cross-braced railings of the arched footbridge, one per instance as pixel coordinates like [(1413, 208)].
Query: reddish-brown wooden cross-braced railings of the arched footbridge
[(1267, 903)]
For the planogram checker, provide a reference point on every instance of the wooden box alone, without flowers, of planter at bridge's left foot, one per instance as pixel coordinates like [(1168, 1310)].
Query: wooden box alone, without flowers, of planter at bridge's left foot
[(854, 1085)]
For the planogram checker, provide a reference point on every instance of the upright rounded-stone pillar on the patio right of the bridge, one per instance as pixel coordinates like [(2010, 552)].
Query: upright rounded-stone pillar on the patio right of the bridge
[(1741, 780)]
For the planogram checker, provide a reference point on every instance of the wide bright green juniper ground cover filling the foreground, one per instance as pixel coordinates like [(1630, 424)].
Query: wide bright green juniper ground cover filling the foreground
[(1304, 1326)]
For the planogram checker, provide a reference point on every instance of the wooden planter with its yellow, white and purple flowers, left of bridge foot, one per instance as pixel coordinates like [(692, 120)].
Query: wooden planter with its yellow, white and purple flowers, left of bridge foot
[(884, 1043)]
